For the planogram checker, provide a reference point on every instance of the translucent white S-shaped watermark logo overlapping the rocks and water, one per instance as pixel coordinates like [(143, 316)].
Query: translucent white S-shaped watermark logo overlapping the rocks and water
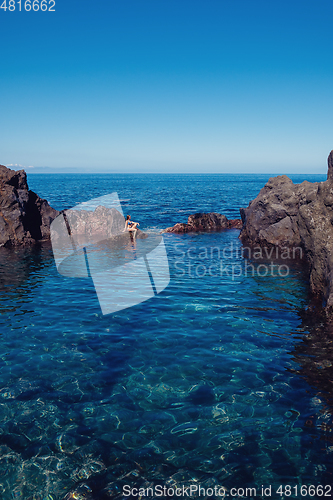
[(92, 240)]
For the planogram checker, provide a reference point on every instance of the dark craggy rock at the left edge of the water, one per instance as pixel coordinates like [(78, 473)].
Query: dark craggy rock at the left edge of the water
[(24, 217)]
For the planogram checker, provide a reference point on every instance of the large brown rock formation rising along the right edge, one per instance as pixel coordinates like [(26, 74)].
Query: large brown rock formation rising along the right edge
[(289, 215)]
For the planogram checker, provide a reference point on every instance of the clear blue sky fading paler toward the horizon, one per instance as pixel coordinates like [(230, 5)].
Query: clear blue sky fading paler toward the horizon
[(168, 86)]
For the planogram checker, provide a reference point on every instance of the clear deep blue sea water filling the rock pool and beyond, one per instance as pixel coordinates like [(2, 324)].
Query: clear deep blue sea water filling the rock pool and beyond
[(217, 381)]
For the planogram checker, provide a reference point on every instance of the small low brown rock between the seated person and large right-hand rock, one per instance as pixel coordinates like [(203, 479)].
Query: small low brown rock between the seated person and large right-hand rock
[(205, 222)]
